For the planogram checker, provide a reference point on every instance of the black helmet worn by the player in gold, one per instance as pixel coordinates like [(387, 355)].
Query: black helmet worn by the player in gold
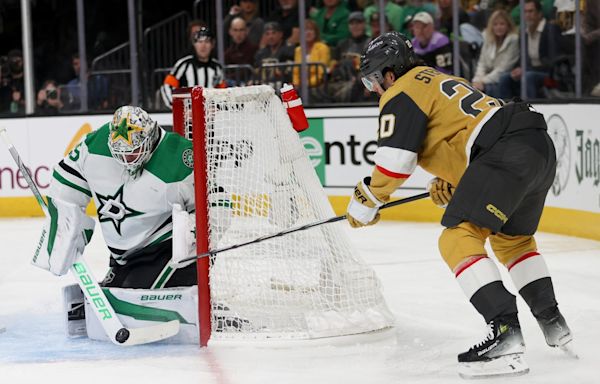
[(391, 51)]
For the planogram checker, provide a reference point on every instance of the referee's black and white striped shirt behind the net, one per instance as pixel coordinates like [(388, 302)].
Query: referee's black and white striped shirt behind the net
[(189, 71)]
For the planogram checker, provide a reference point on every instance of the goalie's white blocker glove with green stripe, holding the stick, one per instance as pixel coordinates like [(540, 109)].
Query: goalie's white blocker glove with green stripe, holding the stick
[(66, 232)]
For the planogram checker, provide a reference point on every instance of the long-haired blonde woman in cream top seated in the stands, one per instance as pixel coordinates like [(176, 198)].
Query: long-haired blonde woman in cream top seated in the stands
[(499, 54)]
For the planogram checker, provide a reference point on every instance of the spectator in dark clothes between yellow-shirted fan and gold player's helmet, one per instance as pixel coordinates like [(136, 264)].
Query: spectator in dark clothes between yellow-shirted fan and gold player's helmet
[(346, 60)]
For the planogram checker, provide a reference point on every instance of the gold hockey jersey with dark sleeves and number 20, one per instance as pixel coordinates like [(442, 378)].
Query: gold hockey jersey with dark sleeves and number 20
[(430, 119)]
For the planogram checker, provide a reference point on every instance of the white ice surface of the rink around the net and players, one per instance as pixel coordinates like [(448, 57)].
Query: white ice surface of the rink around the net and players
[(433, 323)]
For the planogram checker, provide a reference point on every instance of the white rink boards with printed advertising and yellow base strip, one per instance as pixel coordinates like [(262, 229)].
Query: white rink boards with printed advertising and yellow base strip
[(341, 144)]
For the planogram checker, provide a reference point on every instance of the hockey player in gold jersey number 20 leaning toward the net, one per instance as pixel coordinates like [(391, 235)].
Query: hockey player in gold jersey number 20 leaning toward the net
[(502, 163)]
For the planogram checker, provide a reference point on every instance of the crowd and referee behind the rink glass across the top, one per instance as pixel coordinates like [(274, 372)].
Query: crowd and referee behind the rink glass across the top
[(262, 45)]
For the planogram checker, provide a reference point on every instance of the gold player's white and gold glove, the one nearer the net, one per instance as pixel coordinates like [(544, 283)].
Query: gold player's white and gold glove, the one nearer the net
[(364, 206)]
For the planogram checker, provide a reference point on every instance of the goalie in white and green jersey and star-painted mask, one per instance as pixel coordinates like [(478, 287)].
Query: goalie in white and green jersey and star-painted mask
[(136, 173)]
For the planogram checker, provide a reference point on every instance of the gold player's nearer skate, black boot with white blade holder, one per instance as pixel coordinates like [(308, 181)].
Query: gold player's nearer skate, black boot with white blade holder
[(499, 354)]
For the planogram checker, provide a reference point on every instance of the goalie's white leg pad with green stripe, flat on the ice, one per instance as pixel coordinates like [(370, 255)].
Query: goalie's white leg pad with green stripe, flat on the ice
[(138, 308)]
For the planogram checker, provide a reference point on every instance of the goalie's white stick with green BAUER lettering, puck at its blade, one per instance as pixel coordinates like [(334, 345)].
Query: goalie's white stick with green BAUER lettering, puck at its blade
[(114, 329)]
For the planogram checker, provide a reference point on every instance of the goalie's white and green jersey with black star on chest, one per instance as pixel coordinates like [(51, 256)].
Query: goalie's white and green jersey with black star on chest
[(133, 212)]
